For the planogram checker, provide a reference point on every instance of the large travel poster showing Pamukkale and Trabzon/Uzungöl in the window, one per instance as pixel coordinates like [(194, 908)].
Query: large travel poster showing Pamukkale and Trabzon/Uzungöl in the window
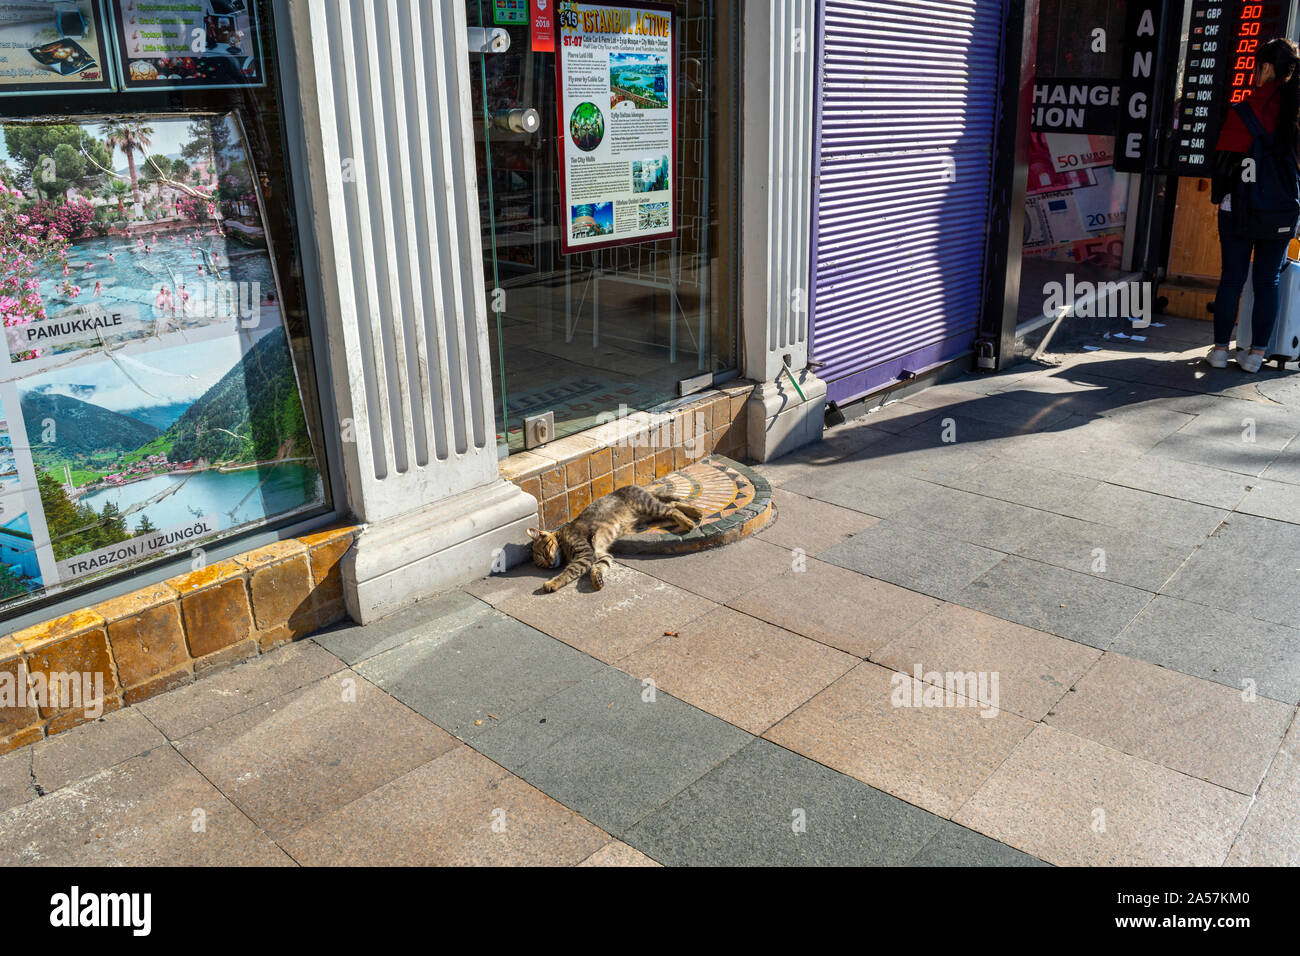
[(149, 397)]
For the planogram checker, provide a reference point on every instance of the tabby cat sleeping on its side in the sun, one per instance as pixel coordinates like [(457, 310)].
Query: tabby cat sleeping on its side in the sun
[(586, 542)]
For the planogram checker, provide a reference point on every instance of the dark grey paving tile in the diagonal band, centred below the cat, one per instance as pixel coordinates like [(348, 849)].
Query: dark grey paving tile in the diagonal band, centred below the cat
[(612, 750)]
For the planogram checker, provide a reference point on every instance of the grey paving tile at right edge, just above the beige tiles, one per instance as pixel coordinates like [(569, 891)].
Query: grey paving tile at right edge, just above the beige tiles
[(1219, 646)]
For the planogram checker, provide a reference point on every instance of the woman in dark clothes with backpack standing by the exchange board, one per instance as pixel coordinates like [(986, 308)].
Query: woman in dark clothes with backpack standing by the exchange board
[(1276, 105)]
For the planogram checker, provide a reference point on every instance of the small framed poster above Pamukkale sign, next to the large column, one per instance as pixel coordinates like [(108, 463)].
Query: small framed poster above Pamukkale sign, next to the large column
[(189, 45)]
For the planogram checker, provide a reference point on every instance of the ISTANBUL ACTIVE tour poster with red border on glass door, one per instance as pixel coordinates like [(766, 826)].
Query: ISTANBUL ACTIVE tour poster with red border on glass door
[(618, 145)]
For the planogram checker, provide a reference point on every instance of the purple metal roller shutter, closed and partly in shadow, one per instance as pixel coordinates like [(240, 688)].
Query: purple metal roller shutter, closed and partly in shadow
[(907, 116)]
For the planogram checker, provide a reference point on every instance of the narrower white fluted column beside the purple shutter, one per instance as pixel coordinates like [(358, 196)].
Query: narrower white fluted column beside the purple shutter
[(777, 224)]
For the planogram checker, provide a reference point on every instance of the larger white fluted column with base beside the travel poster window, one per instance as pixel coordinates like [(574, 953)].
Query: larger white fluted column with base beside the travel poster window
[(387, 107)]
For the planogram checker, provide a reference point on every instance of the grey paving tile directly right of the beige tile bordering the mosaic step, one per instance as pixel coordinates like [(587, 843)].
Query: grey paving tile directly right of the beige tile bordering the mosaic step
[(913, 559)]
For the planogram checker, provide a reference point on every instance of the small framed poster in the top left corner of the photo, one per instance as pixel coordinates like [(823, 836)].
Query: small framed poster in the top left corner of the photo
[(53, 47)]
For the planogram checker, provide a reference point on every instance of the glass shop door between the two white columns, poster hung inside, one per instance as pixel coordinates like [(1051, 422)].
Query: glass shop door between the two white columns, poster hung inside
[(580, 327)]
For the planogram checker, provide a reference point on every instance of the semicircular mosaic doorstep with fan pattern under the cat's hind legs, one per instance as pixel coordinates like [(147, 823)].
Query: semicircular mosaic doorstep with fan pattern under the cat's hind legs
[(736, 501)]
